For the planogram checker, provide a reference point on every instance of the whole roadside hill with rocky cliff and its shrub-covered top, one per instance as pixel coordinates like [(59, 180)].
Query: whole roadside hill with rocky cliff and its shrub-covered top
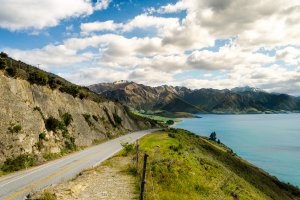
[(42, 114)]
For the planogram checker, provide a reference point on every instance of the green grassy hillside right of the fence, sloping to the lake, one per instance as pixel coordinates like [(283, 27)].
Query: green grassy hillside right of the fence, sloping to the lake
[(185, 166)]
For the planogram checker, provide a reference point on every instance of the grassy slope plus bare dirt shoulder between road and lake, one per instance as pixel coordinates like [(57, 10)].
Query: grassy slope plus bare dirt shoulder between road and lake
[(181, 166)]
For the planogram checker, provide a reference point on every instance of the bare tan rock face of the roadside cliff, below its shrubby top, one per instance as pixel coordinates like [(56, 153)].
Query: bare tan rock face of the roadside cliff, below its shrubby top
[(25, 109)]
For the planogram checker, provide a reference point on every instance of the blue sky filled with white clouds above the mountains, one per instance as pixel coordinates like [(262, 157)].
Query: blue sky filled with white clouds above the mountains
[(193, 43)]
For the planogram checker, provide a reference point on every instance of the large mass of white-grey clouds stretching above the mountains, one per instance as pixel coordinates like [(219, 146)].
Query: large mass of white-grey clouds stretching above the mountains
[(181, 44)]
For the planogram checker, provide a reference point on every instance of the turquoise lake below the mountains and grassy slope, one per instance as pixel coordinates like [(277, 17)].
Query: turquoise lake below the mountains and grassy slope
[(270, 141)]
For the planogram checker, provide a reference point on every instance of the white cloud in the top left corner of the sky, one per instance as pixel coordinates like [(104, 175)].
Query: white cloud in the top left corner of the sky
[(31, 14)]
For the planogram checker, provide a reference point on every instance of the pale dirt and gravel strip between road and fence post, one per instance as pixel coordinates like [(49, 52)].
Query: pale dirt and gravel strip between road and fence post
[(109, 181)]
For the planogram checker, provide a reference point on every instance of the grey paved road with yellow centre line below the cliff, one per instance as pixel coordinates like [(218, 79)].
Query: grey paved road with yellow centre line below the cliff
[(18, 185)]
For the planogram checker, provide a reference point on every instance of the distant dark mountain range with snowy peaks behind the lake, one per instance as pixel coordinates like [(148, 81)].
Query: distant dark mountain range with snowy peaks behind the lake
[(181, 99)]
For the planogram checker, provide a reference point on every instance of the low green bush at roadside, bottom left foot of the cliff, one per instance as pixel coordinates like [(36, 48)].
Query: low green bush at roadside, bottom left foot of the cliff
[(18, 163)]
